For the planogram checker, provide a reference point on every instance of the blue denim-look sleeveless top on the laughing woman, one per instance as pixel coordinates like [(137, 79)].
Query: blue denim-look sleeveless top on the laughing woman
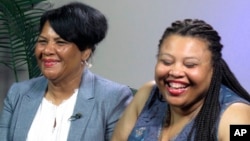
[(149, 124)]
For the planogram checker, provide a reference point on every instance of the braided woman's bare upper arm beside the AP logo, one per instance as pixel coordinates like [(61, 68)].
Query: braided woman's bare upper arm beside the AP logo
[(237, 113)]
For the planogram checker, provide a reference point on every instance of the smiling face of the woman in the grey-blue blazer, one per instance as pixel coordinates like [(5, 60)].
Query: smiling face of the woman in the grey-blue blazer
[(59, 60)]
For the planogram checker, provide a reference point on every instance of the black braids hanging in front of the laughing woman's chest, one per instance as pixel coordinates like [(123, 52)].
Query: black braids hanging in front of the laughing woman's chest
[(204, 123)]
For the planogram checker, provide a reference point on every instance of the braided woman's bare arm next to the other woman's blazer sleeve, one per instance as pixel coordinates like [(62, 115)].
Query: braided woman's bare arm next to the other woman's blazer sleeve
[(129, 118)]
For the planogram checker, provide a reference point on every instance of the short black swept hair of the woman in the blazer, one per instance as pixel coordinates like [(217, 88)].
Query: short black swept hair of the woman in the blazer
[(78, 23)]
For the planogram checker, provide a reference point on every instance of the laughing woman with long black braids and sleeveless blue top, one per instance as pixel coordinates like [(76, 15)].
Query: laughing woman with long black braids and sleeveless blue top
[(194, 96)]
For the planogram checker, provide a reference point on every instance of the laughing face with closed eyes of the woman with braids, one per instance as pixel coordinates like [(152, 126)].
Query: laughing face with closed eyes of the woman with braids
[(183, 71)]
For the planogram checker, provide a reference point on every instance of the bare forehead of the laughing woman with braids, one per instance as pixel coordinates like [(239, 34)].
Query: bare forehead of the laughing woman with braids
[(187, 46)]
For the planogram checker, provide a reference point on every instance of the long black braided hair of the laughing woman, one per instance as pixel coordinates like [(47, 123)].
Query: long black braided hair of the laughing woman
[(205, 122)]
